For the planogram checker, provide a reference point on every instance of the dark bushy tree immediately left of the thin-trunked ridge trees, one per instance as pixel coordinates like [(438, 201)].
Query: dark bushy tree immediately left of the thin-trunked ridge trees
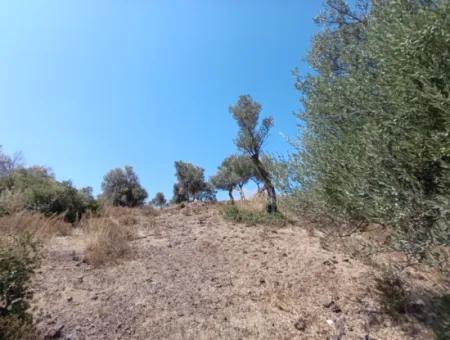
[(191, 181)]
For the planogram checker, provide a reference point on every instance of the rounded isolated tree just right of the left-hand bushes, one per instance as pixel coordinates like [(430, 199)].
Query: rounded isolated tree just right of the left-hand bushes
[(121, 187)]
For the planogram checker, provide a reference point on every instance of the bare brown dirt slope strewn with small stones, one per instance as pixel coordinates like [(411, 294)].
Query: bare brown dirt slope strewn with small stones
[(191, 275)]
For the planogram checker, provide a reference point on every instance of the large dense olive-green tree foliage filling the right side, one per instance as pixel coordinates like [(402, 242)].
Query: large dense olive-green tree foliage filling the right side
[(375, 131)]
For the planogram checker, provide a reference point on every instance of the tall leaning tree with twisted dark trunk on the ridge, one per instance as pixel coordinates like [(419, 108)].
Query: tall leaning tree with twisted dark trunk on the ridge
[(250, 139)]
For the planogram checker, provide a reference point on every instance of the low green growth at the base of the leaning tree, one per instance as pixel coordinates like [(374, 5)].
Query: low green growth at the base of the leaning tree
[(252, 218)]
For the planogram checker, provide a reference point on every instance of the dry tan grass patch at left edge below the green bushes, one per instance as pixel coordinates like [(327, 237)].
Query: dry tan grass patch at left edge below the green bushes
[(35, 223)]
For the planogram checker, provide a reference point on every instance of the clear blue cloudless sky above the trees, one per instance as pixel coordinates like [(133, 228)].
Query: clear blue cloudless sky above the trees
[(89, 85)]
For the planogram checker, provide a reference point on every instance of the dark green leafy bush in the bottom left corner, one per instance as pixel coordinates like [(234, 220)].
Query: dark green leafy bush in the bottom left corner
[(18, 260)]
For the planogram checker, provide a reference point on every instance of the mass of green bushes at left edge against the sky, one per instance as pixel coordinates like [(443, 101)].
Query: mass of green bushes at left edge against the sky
[(37, 189)]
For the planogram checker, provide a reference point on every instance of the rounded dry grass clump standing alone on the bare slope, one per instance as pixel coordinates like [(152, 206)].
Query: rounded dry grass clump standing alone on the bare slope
[(107, 241)]
